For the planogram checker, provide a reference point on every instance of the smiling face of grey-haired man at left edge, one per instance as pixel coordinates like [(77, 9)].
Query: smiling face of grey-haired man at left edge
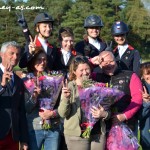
[(11, 56)]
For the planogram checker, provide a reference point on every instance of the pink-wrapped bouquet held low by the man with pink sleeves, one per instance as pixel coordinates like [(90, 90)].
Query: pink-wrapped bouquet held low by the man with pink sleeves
[(121, 137)]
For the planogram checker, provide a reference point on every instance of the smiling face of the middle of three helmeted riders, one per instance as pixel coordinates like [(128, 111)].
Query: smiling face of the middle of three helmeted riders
[(93, 32)]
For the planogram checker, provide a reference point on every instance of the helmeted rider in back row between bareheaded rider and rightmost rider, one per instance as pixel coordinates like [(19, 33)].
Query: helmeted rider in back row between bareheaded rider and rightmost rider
[(92, 45)]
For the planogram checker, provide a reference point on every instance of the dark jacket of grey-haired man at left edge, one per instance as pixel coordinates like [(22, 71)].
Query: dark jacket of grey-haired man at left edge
[(12, 110)]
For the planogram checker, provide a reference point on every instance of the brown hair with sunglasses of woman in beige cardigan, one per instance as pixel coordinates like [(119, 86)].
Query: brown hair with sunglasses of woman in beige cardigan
[(74, 65)]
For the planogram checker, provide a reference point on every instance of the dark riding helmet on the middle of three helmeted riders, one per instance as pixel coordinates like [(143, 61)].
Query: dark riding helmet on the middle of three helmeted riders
[(93, 21)]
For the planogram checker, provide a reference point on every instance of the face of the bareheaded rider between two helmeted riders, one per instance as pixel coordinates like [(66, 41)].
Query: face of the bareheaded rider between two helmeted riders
[(67, 43)]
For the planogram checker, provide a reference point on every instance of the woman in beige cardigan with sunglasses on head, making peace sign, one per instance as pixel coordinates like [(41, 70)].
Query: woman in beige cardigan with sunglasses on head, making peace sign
[(70, 109)]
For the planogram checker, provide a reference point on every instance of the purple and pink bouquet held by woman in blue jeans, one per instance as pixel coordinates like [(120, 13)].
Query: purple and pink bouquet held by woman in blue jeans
[(50, 85)]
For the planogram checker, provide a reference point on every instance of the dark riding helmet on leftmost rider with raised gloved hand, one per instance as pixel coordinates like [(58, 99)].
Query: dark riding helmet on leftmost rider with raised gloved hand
[(43, 17)]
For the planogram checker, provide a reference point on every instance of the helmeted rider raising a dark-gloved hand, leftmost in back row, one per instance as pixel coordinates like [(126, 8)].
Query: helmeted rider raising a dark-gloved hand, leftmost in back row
[(43, 25)]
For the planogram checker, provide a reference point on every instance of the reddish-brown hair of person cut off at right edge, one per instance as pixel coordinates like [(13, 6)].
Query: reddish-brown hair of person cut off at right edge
[(144, 68)]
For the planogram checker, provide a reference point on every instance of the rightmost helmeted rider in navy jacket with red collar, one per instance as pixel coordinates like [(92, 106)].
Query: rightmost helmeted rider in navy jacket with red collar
[(127, 57)]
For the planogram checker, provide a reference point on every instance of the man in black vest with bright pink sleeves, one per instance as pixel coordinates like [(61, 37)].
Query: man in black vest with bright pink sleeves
[(126, 81)]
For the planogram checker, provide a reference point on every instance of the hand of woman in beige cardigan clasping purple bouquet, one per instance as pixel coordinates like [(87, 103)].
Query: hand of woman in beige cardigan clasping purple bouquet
[(98, 112)]
